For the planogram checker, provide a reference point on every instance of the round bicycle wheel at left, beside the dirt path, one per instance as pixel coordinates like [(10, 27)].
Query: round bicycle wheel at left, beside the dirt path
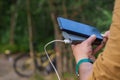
[(23, 65)]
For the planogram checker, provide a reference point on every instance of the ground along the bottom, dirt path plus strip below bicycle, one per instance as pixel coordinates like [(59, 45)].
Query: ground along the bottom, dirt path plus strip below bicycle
[(7, 72)]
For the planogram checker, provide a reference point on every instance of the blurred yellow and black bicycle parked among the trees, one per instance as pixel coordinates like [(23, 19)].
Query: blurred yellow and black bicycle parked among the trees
[(23, 65)]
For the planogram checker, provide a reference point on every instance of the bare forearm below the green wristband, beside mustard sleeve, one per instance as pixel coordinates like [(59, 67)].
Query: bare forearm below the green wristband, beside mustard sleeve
[(85, 70)]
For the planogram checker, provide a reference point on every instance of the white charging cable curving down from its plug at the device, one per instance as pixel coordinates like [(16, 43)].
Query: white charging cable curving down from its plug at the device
[(66, 41)]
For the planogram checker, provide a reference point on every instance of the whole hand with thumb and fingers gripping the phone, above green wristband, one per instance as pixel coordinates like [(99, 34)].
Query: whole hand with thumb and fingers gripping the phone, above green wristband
[(85, 50)]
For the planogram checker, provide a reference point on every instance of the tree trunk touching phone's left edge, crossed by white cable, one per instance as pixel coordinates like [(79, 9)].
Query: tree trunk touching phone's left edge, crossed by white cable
[(57, 36)]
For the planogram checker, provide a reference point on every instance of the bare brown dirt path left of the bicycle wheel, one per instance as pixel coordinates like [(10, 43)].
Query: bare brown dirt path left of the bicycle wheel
[(6, 69)]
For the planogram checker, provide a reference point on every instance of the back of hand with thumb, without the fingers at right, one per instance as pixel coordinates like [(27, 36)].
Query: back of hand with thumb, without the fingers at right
[(84, 49)]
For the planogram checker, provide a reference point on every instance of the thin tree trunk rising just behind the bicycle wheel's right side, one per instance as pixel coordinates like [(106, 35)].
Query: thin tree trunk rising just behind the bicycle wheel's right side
[(30, 32)]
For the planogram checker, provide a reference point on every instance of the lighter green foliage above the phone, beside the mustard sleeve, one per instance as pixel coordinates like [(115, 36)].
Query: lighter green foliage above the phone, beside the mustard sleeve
[(95, 13)]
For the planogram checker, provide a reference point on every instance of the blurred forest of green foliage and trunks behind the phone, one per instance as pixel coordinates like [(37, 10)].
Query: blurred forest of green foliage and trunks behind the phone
[(27, 25)]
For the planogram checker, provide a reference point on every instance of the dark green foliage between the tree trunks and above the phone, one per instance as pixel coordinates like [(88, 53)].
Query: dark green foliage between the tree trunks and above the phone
[(95, 13)]
